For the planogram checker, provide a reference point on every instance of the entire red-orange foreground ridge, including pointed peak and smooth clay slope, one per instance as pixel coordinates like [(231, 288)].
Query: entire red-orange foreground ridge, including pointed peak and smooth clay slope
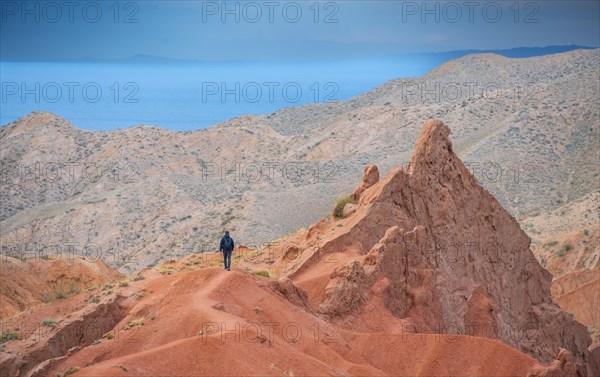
[(426, 276)]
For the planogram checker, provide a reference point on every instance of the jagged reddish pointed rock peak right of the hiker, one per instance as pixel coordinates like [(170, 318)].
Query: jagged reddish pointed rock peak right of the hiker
[(453, 259)]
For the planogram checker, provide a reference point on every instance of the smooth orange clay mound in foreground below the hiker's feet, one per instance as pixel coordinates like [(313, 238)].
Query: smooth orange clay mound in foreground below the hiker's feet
[(210, 322)]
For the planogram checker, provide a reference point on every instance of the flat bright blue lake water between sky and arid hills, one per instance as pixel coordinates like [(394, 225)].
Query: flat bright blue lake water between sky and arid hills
[(184, 97)]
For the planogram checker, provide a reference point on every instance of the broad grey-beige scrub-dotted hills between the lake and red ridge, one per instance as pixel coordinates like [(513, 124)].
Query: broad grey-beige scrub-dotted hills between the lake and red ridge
[(528, 129)]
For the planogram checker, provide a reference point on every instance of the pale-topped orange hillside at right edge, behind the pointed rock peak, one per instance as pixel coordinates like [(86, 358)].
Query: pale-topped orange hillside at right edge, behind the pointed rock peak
[(567, 243)]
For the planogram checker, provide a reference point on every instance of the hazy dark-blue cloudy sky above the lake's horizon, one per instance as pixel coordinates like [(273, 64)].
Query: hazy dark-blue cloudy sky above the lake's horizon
[(274, 30)]
